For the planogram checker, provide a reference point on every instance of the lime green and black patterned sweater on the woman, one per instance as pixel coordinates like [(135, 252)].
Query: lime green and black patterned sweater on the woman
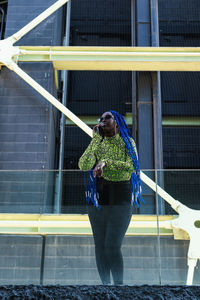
[(111, 150)]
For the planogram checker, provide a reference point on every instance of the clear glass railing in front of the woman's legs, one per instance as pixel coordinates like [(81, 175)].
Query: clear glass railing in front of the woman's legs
[(49, 248)]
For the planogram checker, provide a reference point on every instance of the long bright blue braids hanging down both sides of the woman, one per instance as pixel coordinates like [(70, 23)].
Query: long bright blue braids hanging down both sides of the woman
[(90, 188)]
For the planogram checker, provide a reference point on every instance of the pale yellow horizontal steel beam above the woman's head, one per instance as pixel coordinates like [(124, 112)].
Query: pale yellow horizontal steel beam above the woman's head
[(115, 58)]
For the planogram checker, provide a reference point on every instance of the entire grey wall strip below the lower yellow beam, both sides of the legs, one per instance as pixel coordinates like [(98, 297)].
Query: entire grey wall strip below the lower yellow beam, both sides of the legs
[(70, 260)]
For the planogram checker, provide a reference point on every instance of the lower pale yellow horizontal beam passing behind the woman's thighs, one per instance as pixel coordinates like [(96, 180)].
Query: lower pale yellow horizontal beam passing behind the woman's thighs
[(77, 224)]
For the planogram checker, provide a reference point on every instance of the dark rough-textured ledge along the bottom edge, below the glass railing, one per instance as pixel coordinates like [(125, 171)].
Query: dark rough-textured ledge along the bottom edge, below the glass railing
[(99, 292)]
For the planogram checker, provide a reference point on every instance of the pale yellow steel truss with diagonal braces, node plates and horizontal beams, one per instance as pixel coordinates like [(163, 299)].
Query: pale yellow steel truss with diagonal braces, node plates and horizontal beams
[(110, 59)]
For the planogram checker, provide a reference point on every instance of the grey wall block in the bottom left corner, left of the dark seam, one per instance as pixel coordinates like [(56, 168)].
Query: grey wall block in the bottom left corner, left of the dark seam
[(20, 259)]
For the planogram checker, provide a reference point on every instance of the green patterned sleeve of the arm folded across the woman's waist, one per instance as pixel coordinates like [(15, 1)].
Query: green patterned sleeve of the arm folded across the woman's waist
[(114, 165)]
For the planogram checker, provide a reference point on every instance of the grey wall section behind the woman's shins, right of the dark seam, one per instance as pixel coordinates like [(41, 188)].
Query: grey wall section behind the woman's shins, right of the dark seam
[(71, 260)]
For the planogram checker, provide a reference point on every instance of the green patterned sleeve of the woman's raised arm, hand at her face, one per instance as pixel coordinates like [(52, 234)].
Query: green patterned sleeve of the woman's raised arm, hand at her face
[(88, 158)]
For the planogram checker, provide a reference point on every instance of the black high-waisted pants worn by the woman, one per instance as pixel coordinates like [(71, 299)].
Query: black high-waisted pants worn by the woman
[(109, 225)]
